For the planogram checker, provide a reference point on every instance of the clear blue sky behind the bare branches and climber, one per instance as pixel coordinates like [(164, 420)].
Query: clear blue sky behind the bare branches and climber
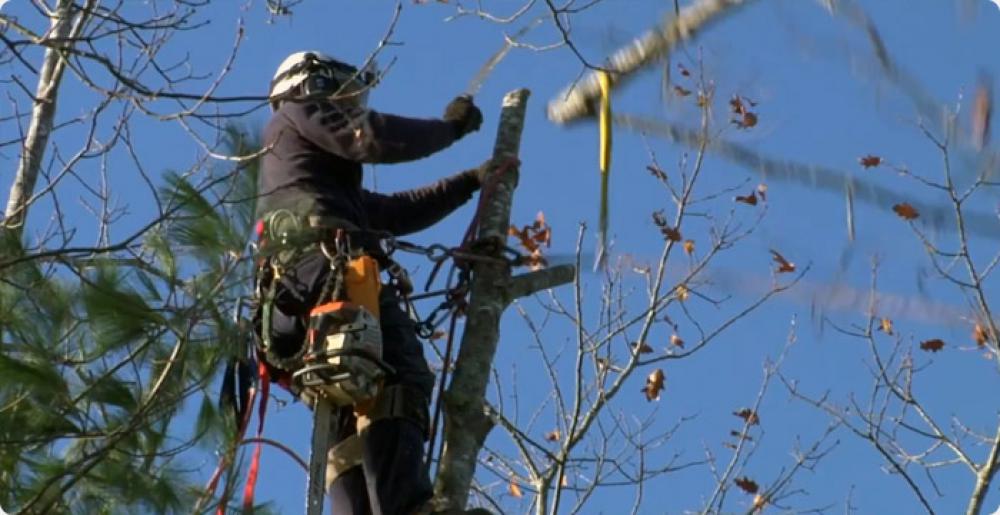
[(820, 101)]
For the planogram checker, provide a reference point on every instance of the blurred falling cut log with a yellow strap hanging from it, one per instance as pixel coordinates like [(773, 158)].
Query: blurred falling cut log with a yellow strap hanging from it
[(579, 99)]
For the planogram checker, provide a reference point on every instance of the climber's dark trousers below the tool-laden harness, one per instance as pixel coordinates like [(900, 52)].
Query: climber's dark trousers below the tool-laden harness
[(393, 478)]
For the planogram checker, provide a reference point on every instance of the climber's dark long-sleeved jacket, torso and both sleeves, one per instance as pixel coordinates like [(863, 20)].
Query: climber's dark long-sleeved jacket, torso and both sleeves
[(313, 166)]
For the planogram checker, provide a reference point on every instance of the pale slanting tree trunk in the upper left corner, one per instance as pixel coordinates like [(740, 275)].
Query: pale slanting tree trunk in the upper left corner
[(42, 116)]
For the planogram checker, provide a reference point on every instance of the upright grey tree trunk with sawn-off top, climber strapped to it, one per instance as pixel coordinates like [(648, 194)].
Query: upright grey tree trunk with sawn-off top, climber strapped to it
[(467, 422)]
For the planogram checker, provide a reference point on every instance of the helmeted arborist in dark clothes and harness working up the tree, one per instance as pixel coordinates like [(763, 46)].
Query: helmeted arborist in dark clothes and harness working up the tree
[(313, 211)]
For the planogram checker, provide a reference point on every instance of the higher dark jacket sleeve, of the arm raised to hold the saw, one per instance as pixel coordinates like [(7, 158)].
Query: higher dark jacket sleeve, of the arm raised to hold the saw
[(368, 136)]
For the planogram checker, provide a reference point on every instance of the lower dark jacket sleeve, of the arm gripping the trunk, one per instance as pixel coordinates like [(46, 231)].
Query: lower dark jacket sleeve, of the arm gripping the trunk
[(410, 211)]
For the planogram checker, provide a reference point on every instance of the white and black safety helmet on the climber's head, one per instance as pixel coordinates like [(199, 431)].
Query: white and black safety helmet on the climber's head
[(311, 73)]
